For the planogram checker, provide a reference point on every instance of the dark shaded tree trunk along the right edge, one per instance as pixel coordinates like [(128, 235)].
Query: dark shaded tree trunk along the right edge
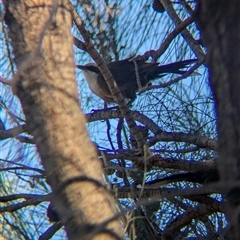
[(219, 22)]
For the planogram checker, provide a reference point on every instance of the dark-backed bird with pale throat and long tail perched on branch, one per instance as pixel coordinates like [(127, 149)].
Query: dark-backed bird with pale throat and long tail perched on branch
[(130, 76)]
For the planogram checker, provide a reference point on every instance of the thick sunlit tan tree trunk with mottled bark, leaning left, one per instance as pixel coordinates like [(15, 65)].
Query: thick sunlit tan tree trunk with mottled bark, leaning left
[(46, 86)]
